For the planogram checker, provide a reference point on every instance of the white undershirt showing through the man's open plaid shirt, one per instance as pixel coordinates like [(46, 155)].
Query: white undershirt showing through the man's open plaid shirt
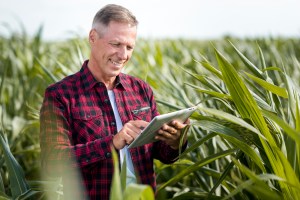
[(131, 178)]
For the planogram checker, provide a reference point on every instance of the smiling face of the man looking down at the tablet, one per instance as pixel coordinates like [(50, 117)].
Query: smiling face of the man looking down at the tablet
[(111, 49)]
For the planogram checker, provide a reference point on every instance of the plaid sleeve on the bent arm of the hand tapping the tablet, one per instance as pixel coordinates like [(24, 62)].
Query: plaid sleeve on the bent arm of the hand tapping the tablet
[(58, 154)]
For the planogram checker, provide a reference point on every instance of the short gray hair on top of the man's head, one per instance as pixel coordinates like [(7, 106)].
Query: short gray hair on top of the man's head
[(113, 12)]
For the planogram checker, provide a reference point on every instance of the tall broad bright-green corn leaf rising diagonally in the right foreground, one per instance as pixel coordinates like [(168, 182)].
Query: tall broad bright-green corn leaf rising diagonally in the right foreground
[(248, 108)]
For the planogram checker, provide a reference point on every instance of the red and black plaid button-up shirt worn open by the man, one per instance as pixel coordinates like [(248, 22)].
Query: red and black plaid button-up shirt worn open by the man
[(77, 128)]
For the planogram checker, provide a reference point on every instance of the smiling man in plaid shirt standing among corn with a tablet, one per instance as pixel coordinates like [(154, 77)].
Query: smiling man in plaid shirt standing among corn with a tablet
[(98, 108)]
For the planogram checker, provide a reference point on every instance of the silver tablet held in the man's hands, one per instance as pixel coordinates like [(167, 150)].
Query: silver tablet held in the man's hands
[(148, 134)]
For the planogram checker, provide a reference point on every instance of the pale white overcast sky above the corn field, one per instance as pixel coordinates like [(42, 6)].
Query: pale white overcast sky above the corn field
[(194, 19)]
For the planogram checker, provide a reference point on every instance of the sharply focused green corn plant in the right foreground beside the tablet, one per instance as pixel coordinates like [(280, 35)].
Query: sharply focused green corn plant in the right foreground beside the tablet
[(243, 112)]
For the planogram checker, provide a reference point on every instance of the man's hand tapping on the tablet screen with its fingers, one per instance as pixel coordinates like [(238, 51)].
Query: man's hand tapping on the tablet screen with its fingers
[(128, 133)]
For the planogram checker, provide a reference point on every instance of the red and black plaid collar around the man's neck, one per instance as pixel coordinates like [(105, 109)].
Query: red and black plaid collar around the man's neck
[(89, 81)]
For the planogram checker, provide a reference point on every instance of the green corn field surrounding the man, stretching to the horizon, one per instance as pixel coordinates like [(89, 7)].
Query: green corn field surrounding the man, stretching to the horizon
[(244, 138)]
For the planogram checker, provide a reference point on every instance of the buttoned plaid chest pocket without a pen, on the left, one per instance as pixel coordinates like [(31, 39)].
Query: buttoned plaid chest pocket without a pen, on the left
[(88, 124)]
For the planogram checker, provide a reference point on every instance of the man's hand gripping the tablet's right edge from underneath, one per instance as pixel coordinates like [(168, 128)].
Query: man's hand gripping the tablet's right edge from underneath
[(170, 133)]
